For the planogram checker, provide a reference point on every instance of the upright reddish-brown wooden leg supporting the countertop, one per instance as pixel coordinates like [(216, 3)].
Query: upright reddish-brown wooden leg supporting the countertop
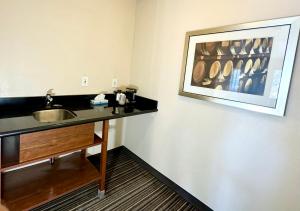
[(103, 158)]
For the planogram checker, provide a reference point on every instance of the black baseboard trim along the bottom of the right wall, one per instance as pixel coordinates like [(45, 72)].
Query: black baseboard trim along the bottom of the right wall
[(186, 195)]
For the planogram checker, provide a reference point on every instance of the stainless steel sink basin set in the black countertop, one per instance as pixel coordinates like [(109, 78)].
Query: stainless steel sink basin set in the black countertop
[(53, 115)]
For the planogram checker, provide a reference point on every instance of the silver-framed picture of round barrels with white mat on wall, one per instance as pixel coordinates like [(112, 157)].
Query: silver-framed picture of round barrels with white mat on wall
[(246, 65)]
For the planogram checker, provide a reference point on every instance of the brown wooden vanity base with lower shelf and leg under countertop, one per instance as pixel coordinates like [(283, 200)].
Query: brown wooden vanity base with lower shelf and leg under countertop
[(34, 185)]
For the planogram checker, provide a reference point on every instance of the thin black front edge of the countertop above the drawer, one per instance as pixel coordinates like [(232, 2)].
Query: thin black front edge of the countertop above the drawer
[(71, 123)]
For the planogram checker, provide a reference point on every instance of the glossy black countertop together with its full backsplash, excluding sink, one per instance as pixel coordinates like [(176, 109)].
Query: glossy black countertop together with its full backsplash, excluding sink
[(16, 113)]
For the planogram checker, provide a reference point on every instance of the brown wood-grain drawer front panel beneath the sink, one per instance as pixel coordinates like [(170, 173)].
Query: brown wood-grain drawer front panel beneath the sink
[(44, 143)]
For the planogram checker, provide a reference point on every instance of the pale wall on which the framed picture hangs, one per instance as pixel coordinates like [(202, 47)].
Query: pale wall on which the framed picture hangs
[(230, 159)]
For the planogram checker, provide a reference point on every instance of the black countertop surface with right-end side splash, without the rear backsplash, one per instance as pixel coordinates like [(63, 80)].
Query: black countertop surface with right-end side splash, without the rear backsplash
[(24, 122)]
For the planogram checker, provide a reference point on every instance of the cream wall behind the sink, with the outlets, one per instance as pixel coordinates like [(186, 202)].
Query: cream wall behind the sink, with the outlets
[(53, 43)]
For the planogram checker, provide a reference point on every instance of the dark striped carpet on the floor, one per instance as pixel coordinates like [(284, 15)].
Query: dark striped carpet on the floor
[(129, 187)]
